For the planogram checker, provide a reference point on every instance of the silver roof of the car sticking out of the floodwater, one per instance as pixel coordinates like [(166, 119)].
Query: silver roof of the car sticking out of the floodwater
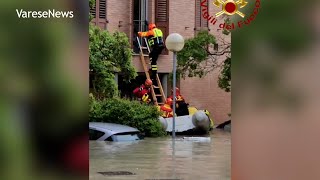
[(115, 128)]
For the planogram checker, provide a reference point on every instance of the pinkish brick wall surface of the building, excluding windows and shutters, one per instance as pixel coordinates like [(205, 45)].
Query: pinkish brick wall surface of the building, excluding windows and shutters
[(202, 93)]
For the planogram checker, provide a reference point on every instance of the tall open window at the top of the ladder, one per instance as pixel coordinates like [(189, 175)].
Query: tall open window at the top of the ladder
[(140, 21)]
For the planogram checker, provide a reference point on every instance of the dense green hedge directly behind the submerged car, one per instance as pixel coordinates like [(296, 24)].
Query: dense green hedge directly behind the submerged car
[(131, 113)]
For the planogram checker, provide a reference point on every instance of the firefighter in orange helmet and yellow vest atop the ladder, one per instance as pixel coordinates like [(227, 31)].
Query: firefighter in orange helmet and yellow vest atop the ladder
[(155, 41)]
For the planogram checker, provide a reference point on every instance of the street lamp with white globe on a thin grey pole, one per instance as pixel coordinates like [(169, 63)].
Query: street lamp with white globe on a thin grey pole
[(174, 43)]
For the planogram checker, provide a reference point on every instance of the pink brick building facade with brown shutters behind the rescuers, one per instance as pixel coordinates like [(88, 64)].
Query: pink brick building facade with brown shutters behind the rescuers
[(171, 16)]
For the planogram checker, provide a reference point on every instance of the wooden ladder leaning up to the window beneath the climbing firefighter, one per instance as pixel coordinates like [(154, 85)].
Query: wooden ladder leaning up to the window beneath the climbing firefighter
[(160, 93)]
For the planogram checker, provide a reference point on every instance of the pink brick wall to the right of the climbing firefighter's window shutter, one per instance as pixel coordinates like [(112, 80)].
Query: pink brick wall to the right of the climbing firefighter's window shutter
[(202, 93)]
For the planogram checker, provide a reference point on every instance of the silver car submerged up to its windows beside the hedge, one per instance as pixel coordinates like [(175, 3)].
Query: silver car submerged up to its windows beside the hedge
[(113, 132)]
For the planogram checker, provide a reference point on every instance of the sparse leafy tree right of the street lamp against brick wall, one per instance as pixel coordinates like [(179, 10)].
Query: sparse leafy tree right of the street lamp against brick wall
[(199, 57)]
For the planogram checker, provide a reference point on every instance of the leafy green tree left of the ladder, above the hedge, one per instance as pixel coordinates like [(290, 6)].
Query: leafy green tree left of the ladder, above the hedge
[(109, 53)]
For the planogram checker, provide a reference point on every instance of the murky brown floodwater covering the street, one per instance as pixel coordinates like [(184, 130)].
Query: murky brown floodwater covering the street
[(160, 158)]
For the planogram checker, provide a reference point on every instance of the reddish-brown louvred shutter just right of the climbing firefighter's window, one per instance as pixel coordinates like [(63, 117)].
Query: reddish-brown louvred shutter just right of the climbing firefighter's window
[(162, 18)]
